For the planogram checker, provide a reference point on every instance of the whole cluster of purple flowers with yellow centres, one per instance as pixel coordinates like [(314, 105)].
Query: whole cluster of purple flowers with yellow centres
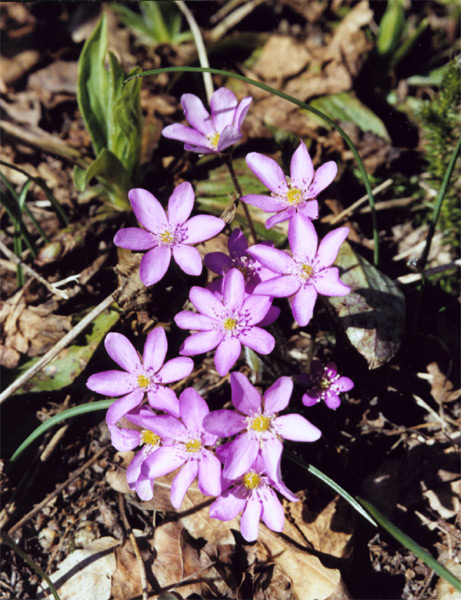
[(236, 454)]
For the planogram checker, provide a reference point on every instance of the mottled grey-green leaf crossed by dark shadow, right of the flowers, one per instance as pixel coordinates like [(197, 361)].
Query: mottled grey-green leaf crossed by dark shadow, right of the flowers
[(373, 314)]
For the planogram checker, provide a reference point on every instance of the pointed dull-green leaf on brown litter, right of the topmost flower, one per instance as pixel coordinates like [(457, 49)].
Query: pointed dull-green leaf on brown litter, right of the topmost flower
[(347, 107)]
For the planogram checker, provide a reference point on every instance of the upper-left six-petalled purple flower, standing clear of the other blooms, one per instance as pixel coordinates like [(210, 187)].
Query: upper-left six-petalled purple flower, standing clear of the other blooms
[(165, 235)]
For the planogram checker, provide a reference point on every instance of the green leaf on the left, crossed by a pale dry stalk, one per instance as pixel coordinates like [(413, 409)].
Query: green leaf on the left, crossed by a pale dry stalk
[(71, 361)]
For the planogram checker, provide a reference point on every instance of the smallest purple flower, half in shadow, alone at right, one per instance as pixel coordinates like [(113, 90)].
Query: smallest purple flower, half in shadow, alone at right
[(324, 383)]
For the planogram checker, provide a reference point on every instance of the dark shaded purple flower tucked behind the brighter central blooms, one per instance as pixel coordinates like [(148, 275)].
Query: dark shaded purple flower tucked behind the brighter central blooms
[(251, 269)]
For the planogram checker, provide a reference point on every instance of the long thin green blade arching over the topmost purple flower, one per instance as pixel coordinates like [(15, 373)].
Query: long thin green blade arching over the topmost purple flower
[(301, 104)]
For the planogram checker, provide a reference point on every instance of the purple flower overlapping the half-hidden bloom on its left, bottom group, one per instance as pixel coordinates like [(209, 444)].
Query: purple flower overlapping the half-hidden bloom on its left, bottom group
[(186, 448)]
